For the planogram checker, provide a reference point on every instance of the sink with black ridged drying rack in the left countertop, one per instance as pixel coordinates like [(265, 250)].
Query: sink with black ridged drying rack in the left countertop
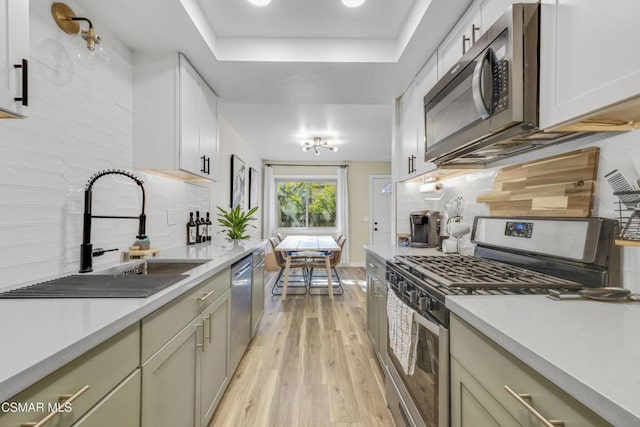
[(138, 281)]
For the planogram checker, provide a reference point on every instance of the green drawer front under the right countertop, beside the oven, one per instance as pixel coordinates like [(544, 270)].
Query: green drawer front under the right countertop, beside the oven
[(495, 368)]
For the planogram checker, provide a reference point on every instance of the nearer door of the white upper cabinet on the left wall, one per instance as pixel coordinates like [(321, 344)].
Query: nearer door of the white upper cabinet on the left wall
[(190, 107)]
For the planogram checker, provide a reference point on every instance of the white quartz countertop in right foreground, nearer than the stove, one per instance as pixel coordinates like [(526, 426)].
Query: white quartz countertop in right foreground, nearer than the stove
[(589, 349)]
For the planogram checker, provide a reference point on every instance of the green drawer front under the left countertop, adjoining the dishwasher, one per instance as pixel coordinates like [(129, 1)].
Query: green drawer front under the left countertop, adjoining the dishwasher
[(163, 324)]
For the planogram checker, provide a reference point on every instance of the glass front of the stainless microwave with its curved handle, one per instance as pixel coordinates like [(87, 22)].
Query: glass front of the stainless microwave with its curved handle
[(461, 109)]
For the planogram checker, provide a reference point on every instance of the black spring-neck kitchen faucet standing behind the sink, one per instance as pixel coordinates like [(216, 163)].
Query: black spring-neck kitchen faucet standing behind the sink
[(86, 249)]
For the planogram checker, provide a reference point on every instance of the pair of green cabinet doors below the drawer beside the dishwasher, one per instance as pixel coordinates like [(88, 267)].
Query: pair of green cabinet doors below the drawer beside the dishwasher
[(183, 382)]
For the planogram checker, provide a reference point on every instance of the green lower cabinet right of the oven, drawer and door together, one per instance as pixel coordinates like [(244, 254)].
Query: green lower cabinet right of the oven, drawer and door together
[(491, 387)]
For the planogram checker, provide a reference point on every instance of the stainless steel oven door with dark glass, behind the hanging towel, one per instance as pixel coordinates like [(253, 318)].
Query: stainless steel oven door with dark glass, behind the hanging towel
[(424, 396)]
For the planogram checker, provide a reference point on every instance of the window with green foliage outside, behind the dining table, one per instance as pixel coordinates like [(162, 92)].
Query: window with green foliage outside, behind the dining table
[(306, 203)]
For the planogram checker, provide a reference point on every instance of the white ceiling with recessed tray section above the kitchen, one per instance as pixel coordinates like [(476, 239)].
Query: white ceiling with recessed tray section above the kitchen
[(293, 62)]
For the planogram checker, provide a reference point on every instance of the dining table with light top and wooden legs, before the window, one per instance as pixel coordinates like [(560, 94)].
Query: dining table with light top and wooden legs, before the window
[(315, 246)]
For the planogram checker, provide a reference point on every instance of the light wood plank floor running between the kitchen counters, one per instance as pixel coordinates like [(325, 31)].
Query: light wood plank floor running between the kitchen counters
[(311, 363)]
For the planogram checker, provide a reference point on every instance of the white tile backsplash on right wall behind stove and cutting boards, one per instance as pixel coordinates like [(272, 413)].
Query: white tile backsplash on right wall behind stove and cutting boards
[(617, 151)]
